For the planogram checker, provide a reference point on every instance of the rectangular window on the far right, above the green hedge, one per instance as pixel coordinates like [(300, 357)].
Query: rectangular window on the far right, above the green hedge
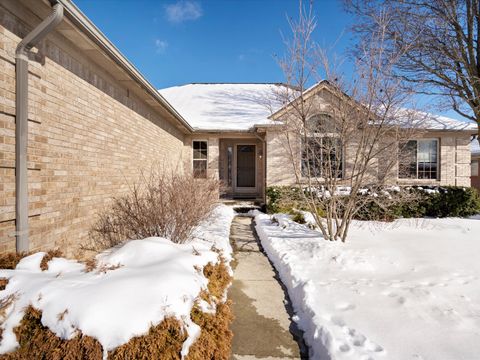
[(418, 159)]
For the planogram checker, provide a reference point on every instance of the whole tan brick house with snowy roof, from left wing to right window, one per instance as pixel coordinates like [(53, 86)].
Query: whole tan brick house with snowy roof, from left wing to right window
[(78, 123)]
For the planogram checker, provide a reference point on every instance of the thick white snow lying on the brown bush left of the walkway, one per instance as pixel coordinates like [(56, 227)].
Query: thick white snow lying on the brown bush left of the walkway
[(132, 288)]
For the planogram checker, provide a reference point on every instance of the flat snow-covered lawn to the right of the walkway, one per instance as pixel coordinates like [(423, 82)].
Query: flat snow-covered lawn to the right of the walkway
[(410, 290)]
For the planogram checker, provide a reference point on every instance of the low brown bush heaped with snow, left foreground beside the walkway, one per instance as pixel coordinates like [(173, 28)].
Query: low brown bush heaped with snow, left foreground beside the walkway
[(146, 299)]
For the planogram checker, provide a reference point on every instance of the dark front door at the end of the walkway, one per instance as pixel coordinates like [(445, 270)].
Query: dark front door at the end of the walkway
[(245, 179)]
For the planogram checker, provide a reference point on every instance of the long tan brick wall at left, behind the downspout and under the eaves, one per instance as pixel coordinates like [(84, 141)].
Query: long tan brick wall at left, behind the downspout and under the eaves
[(88, 138)]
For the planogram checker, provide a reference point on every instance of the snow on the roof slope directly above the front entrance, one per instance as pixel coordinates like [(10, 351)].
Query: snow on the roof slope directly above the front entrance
[(224, 106)]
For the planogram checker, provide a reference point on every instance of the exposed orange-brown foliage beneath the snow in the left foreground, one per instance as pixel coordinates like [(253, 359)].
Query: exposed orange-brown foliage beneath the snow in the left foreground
[(163, 341)]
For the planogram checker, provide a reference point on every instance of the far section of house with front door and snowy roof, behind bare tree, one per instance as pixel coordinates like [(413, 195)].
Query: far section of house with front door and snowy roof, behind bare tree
[(237, 138)]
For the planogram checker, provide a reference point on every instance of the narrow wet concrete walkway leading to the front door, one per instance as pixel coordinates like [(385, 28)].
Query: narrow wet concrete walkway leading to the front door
[(262, 328)]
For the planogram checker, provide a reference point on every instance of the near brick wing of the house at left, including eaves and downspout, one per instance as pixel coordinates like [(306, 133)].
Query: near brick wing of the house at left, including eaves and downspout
[(93, 122)]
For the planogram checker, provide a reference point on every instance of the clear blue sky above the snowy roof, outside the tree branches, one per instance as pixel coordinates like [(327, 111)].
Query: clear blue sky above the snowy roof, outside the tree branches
[(174, 42)]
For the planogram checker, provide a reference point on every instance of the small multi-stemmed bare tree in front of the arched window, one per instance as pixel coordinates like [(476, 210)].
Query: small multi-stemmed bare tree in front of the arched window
[(343, 136)]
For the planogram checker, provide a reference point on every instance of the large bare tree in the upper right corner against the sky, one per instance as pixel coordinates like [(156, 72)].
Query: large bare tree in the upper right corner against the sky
[(442, 43)]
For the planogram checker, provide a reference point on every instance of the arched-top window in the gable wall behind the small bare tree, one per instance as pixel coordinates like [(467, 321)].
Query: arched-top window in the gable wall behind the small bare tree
[(322, 154)]
